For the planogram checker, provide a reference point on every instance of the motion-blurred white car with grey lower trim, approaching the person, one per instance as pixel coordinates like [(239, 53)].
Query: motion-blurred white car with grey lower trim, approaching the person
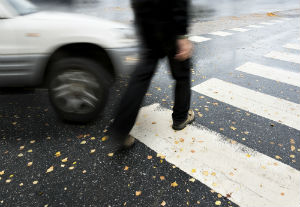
[(76, 56)]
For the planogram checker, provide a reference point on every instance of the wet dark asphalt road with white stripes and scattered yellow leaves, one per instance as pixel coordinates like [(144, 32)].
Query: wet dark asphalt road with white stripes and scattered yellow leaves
[(246, 132)]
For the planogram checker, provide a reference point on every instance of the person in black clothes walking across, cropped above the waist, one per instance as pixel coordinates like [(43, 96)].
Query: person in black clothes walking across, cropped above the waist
[(162, 26)]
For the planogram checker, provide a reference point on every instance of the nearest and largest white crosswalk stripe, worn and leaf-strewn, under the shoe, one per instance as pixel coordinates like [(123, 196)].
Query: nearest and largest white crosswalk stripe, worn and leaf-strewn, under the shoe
[(249, 177)]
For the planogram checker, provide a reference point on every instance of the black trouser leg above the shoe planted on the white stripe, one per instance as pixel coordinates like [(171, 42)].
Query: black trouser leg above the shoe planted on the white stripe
[(181, 73)]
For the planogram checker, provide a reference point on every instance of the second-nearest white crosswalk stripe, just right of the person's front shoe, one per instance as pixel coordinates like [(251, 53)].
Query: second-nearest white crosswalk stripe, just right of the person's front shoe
[(270, 107)]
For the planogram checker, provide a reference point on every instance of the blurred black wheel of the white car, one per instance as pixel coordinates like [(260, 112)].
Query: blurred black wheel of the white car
[(78, 88)]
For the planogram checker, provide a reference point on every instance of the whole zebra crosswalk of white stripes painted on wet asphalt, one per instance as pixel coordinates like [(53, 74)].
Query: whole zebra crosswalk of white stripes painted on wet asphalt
[(251, 178)]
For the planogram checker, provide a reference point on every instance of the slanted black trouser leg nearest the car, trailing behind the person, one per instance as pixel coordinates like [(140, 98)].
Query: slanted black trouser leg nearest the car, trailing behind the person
[(133, 97)]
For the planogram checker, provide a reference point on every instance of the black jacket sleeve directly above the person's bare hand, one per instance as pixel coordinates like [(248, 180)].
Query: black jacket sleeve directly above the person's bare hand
[(181, 16)]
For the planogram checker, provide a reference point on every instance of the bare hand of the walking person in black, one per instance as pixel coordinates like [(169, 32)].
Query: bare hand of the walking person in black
[(185, 49)]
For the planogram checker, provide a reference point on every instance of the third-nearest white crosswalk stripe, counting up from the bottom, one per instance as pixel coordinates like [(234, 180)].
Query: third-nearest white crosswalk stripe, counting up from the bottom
[(276, 74)]
